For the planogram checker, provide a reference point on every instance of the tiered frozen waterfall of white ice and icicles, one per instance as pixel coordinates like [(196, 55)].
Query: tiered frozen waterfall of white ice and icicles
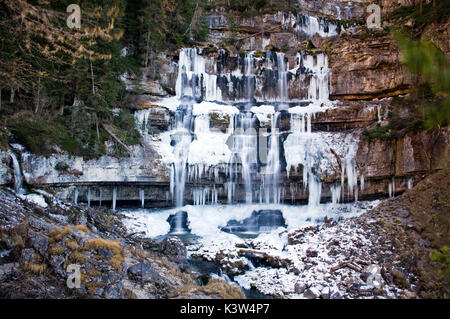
[(225, 143)]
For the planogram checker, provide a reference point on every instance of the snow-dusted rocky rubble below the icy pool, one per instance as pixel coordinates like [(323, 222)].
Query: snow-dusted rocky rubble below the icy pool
[(328, 261)]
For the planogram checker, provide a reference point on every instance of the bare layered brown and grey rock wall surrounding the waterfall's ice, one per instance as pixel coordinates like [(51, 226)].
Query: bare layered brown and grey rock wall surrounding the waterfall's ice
[(365, 73)]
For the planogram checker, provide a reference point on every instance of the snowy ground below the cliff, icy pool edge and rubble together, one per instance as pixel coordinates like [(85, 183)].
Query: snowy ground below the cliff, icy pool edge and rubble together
[(305, 260)]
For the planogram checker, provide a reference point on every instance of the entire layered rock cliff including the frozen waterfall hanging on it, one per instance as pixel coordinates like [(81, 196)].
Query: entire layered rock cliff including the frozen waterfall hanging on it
[(307, 84)]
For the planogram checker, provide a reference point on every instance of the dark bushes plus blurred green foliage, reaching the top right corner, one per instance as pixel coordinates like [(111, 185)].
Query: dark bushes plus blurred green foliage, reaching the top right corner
[(428, 104)]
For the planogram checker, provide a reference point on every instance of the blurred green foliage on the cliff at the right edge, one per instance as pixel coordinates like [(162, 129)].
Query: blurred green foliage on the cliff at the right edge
[(428, 104)]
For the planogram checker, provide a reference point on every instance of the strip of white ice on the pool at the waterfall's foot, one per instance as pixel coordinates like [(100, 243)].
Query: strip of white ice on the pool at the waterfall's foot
[(208, 220)]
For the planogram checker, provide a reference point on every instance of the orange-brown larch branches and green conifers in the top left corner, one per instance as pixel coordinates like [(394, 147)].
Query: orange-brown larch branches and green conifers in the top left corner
[(49, 66)]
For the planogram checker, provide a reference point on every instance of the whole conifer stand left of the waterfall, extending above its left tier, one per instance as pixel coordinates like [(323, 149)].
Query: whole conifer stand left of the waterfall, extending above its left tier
[(61, 86)]
